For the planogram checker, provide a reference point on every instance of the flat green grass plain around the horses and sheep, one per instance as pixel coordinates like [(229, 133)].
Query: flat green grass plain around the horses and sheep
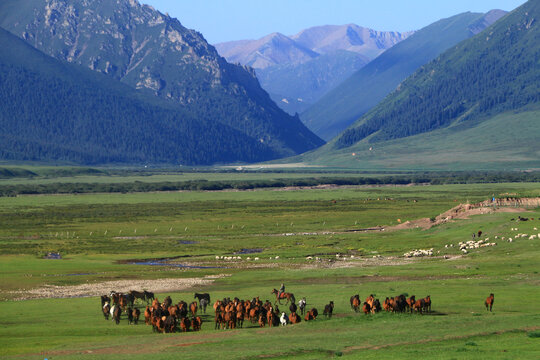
[(98, 235)]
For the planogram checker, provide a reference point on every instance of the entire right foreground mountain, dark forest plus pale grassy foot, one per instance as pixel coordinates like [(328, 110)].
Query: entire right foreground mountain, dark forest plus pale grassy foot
[(480, 96)]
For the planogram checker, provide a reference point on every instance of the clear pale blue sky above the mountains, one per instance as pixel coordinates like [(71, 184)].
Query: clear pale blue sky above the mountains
[(225, 20)]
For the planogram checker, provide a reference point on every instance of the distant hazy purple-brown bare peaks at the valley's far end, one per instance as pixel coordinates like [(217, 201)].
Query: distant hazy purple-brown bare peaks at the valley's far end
[(297, 70)]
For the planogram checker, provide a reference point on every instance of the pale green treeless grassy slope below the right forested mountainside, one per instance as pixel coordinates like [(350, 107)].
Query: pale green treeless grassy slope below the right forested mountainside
[(508, 141)]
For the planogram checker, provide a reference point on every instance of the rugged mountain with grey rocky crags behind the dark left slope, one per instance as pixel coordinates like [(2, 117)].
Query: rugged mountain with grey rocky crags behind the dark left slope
[(154, 53)]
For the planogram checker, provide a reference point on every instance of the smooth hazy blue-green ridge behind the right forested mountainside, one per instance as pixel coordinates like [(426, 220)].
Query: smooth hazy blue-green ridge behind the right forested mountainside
[(339, 108)]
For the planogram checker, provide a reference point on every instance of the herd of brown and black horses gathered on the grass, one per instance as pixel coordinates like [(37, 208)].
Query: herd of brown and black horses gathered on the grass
[(166, 317)]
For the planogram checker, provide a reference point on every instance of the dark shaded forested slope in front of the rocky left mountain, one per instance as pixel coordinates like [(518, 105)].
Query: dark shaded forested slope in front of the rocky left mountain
[(55, 111)]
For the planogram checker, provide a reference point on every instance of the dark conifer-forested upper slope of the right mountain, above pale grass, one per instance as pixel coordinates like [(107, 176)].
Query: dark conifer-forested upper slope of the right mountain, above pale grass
[(495, 71)]
